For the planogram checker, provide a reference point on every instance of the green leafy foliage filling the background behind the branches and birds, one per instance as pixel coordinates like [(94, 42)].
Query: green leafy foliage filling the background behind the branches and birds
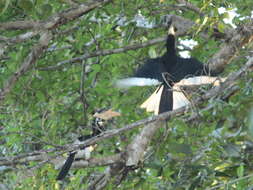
[(54, 104)]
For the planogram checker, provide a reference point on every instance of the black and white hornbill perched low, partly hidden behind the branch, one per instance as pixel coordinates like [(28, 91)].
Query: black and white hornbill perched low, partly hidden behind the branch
[(98, 126)]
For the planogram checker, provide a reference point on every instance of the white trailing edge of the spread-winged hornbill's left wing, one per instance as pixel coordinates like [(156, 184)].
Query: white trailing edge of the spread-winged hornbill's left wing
[(136, 81)]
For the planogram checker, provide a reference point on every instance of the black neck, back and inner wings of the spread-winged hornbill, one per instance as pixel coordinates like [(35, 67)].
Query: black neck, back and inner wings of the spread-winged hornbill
[(176, 66)]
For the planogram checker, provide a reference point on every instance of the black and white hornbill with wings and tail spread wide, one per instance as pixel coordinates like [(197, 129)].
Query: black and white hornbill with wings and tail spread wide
[(169, 71)]
